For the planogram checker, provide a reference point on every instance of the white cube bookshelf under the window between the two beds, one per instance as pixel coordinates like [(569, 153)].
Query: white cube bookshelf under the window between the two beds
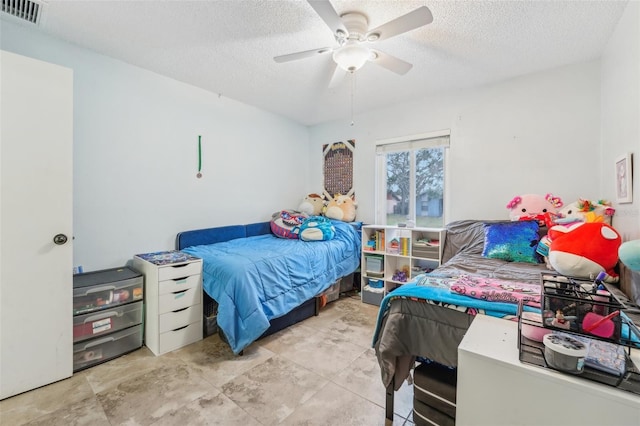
[(392, 256)]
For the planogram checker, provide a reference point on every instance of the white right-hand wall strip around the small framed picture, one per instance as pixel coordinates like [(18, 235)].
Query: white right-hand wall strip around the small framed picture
[(621, 114)]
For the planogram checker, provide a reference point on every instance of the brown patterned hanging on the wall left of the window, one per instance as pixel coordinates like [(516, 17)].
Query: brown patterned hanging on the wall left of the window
[(338, 168)]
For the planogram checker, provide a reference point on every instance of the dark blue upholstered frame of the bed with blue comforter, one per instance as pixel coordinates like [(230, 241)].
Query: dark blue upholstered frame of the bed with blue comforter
[(221, 234)]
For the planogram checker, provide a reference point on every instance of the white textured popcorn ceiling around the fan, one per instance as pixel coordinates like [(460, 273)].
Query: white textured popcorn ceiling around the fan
[(227, 47)]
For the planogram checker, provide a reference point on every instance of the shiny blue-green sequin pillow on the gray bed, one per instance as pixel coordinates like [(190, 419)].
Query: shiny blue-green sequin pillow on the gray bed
[(512, 241)]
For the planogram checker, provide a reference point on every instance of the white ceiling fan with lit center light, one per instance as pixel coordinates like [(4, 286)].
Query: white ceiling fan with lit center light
[(353, 37)]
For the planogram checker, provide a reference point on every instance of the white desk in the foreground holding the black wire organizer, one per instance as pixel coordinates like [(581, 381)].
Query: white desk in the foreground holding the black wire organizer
[(495, 388)]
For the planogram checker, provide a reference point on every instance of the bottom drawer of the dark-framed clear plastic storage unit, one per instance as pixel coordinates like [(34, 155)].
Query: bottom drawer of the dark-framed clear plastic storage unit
[(104, 348)]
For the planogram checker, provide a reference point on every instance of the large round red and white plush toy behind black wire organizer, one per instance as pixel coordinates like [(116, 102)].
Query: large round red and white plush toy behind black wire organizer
[(584, 249)]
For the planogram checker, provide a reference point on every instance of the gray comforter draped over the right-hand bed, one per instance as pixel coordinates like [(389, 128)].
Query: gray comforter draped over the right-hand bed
[(409, 327)]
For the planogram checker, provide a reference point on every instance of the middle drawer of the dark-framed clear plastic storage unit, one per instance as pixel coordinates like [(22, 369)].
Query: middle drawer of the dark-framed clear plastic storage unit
[(98, 323)]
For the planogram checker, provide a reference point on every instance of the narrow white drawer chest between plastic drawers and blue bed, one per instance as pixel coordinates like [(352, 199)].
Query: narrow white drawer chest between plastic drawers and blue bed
[(173, 299)]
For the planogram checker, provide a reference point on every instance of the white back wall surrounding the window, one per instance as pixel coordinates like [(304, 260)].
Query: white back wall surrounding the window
[(538, 133)]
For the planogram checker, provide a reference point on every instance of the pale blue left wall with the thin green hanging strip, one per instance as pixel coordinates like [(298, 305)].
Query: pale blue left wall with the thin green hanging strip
[(135, 155)]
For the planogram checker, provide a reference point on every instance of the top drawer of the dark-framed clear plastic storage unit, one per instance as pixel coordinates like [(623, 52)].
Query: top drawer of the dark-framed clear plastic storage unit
[(94, 291)]
